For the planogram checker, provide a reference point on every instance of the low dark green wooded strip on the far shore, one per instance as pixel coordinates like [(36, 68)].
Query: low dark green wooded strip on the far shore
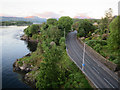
[(18, 23)]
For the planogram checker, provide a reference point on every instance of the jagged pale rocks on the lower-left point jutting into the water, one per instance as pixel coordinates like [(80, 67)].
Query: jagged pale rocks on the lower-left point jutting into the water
[(26, 68)]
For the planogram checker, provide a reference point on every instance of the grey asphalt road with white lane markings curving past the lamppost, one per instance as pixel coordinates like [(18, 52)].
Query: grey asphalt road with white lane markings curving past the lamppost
[(95, 71)]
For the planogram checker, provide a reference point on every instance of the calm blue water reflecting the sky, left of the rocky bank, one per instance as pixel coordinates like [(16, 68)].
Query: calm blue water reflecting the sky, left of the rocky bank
[(12, 48)]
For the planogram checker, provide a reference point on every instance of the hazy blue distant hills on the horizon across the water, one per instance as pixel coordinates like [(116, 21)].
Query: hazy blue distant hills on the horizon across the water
[(33, 19)]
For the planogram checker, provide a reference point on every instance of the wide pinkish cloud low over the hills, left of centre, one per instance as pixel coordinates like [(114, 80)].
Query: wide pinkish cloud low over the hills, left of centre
[(48, 15)]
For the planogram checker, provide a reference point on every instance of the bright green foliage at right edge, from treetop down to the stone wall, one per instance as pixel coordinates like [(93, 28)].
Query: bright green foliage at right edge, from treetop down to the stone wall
[(114, 39)]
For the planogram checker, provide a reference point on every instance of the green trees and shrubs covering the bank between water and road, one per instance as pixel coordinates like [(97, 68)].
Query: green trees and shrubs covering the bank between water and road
[(54, 67)]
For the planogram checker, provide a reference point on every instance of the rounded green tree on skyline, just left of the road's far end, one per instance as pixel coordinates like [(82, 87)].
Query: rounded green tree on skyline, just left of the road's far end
[(65, 22)]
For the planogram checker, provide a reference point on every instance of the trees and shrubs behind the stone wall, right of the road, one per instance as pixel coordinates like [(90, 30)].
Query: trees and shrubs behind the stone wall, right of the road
[(103, 36)]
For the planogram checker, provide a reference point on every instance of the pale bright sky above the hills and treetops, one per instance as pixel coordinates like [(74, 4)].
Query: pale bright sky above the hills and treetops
[(57, 8)]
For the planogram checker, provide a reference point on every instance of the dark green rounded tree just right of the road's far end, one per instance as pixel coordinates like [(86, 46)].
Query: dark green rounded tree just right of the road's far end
[(85, 27)]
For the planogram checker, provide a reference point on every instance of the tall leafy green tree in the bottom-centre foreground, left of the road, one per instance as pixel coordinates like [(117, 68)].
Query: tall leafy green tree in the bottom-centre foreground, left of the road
[(49, 74)]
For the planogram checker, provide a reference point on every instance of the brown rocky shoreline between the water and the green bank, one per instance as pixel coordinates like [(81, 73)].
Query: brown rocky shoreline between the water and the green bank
[(29, 77)]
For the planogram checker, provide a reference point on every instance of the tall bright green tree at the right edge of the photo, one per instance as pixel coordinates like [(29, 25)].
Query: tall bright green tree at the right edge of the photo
[(114, 36)]
